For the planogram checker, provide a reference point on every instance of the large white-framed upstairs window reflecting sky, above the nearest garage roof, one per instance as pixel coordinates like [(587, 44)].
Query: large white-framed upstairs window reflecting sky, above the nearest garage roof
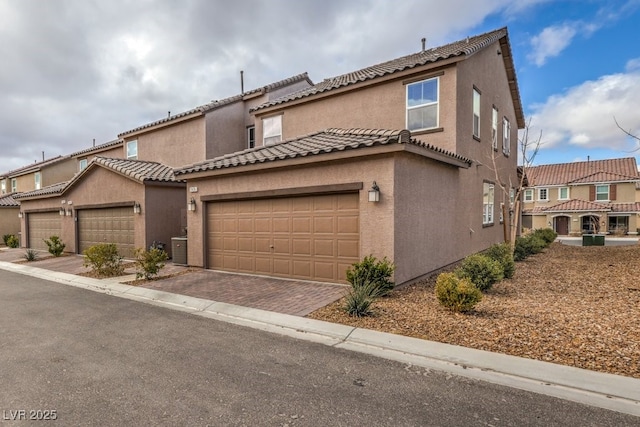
[(422, 104)]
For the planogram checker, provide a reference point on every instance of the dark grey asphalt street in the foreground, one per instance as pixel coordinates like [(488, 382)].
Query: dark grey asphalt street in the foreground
[(86, 358)]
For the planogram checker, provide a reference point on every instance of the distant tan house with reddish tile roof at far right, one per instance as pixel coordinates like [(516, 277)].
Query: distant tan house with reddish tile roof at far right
[(596, 196)]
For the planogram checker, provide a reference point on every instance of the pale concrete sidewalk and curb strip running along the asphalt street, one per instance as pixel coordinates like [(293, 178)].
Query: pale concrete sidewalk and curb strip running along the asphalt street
[(602, 390)]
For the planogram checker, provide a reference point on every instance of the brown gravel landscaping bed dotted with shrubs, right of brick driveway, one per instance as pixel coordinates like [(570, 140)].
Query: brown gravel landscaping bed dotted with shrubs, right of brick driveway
[(571, 305)]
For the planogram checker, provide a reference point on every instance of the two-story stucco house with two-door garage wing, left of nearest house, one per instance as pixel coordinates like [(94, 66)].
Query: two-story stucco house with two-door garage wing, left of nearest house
[(125, 191)]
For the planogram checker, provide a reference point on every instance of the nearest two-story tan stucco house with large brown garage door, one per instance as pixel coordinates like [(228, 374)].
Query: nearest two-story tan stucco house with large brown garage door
[(430, 137)]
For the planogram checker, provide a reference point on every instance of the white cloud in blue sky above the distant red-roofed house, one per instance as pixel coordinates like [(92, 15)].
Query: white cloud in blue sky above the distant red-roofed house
[(584, 116)]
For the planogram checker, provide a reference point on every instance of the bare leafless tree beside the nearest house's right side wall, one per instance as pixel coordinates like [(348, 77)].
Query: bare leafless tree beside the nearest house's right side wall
[(512, 192)]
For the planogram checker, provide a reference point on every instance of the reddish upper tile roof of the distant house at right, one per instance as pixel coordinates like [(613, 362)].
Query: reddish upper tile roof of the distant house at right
[(564, 173)]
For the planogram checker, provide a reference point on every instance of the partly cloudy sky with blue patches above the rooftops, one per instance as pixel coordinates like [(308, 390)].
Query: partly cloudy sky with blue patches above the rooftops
[(76, 71)]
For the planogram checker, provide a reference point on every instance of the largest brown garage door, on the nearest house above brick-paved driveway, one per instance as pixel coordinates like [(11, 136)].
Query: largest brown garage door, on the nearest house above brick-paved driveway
[(311, 238)]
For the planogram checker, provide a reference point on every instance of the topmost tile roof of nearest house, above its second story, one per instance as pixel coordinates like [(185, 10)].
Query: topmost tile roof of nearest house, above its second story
[(467, 46)]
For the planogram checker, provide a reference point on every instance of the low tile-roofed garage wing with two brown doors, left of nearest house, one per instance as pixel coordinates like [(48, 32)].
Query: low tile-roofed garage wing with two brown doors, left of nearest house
[(131, 203)]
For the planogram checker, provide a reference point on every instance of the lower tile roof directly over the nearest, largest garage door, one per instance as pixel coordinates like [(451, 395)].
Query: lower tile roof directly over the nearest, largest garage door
[(327, 141)]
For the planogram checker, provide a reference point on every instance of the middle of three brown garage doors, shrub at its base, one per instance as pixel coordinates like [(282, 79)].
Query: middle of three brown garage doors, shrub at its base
[(108, 225)]
